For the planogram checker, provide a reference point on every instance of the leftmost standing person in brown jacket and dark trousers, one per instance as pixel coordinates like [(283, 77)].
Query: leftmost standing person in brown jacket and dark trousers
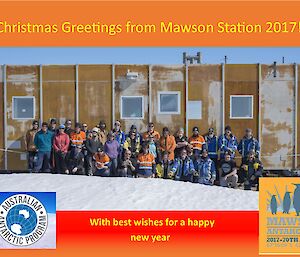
[(29, 144)]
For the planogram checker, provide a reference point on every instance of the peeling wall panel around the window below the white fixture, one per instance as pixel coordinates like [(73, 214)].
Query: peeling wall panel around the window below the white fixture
[(131, 87)]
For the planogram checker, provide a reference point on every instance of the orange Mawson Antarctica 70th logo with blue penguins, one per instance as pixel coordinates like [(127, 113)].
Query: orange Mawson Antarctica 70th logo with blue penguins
[(279, 216)]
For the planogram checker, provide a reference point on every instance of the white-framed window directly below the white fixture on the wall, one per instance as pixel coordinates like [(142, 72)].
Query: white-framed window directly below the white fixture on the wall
[(132, 107)]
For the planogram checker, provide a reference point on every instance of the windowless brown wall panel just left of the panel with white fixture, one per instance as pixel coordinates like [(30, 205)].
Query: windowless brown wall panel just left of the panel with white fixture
[(95, 94)]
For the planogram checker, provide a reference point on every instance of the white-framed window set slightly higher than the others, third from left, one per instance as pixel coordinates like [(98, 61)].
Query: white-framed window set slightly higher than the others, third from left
[(169, 102)]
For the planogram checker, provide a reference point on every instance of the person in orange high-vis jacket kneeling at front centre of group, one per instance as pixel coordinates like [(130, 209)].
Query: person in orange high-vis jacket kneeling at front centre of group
[(146, 163)]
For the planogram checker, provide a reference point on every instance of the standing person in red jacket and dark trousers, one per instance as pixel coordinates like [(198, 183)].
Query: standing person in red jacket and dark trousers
[(61, 145)]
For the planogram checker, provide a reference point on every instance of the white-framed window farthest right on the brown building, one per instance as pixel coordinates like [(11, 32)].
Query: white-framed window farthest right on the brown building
[(241, 107)]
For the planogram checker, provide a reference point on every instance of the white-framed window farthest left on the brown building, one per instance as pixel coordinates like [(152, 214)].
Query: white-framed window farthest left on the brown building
[(23, 107)]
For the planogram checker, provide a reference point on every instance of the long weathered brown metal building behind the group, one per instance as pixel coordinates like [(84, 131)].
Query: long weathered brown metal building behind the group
[(261, 97)]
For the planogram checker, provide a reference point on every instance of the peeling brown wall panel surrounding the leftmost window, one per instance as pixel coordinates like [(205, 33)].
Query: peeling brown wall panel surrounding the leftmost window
[(21, 81)]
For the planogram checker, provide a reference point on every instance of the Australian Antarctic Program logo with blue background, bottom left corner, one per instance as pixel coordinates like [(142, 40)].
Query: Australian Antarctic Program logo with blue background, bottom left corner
[(23, 218)]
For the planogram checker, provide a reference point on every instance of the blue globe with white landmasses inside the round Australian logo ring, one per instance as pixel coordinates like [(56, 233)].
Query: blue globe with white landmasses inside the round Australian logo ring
[(21, 220)]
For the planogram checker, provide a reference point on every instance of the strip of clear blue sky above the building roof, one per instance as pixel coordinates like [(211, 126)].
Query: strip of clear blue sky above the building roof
[(141, 55)]
